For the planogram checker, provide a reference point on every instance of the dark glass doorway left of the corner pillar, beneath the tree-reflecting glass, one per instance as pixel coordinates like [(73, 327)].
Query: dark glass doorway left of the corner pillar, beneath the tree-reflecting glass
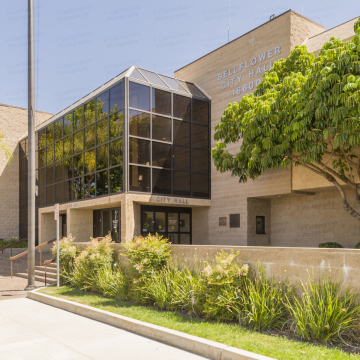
[(107, 221)]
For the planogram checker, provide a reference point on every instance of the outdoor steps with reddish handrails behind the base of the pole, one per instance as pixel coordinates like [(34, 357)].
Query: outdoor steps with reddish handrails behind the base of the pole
[(20, 268)]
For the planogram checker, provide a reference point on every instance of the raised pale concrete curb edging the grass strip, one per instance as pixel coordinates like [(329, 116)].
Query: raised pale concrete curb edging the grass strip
[(194, 344)]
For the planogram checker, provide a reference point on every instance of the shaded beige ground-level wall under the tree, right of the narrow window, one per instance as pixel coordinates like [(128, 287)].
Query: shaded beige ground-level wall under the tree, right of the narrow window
[(307, 220)]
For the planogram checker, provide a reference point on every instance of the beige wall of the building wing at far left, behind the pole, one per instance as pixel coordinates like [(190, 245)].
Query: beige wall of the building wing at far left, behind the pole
[(13, 124)]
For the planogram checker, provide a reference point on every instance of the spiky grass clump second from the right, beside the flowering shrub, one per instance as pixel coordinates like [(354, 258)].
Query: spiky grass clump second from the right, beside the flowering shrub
[(262, 304)]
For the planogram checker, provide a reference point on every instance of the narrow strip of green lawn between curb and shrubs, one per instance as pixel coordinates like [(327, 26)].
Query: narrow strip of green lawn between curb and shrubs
[(273, 346)]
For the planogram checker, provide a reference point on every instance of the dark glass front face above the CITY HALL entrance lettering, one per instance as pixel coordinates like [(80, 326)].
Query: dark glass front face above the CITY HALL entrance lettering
[(169, 145)]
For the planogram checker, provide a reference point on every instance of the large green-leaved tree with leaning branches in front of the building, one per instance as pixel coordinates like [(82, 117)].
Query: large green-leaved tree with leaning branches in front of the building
[(305, 111)]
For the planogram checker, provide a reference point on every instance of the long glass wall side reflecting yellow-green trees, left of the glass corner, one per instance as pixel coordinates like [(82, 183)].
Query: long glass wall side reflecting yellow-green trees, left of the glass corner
[(81, 154)]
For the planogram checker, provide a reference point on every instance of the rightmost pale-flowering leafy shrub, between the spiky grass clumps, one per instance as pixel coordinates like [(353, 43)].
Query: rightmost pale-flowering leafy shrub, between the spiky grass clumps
[(224, 281)]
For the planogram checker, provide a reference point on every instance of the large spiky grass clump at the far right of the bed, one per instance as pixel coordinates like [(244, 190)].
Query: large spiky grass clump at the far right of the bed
[(325, 311)]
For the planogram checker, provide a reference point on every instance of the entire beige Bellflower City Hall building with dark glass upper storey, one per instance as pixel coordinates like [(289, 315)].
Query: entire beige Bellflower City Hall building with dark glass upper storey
[(133, 157)]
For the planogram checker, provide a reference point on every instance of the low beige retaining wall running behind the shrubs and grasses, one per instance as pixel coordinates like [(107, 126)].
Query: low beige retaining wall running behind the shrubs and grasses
[(295, 263)]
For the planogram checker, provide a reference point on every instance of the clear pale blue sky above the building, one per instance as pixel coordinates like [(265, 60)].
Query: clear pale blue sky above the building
[(82, 44)]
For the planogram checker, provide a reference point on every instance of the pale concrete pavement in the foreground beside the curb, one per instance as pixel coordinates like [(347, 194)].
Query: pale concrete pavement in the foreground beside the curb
[(31, 330)]
